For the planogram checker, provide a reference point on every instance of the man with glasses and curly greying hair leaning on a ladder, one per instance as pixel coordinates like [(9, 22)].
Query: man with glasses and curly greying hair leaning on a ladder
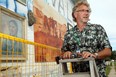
[(89, 39)]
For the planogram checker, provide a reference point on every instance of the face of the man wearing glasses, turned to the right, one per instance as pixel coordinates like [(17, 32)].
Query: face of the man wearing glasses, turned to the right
[(82, 14)]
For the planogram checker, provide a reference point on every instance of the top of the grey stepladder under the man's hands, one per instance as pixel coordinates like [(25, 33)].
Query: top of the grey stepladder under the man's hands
[(93, 72)]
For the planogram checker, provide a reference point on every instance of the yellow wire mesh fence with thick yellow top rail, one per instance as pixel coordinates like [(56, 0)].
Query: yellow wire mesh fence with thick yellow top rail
[(31, 60)]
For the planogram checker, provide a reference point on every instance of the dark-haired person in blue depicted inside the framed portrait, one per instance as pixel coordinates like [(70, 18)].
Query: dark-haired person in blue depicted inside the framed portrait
[(11, 47)]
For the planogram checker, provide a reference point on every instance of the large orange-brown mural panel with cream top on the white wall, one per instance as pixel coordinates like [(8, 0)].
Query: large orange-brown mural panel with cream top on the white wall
[(49, 30)]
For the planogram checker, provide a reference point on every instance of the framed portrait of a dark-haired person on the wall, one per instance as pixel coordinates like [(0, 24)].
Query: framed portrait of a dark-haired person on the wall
[(11, 25)]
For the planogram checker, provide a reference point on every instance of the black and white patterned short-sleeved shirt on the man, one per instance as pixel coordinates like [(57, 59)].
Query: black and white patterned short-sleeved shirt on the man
[(93, 38)]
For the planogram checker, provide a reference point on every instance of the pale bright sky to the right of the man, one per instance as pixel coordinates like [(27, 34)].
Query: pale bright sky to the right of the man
[(104, 13)]
